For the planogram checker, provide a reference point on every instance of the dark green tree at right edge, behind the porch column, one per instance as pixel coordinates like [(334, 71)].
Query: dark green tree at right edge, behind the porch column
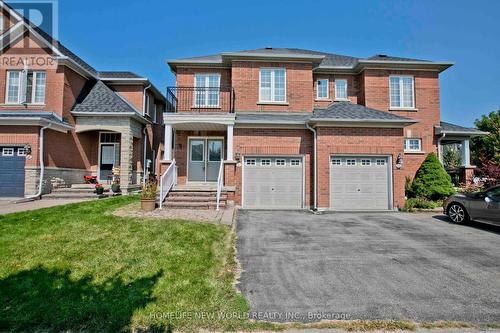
[(487, 147)]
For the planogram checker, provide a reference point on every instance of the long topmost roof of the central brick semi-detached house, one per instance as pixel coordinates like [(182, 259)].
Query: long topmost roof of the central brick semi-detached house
[(321, 60)]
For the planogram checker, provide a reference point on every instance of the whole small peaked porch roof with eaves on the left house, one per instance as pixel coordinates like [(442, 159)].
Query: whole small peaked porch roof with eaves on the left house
[(102, 100)]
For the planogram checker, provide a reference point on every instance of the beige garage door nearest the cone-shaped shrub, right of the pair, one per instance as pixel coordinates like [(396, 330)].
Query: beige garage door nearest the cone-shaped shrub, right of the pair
[(359, 183)]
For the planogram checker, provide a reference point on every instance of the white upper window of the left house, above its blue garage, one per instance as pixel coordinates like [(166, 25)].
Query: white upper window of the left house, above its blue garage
[(25, 87)]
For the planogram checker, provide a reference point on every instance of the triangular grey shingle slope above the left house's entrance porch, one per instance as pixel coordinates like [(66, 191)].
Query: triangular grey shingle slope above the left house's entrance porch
[(102, 99)]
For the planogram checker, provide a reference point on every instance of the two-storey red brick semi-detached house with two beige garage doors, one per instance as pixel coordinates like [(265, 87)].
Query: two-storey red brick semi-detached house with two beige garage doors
[(268, 112)]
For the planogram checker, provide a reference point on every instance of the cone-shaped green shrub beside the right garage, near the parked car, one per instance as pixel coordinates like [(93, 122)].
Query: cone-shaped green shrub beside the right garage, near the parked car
[(431, 181)]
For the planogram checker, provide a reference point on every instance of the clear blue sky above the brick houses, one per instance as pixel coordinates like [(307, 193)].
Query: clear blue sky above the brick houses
[(140, 36)]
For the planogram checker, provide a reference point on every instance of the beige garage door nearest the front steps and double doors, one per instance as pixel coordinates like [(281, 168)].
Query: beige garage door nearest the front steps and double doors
[(273, 182)]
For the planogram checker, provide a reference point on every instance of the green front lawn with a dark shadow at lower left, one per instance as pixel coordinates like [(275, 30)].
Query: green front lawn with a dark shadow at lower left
[(77, 267)]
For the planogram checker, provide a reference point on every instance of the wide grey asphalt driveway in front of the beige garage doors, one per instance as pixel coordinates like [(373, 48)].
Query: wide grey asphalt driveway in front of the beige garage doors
[(303, 267)]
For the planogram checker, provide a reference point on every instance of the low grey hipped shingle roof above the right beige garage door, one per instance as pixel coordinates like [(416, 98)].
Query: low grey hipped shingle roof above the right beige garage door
[(355, 112)]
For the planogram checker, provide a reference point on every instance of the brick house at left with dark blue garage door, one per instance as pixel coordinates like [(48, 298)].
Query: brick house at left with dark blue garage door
[(84, 122)]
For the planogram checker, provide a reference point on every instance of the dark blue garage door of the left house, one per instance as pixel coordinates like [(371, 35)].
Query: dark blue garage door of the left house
[(12, 161)]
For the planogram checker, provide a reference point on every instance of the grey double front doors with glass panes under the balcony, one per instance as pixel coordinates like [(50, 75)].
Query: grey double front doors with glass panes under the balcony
[(204, 159)]
